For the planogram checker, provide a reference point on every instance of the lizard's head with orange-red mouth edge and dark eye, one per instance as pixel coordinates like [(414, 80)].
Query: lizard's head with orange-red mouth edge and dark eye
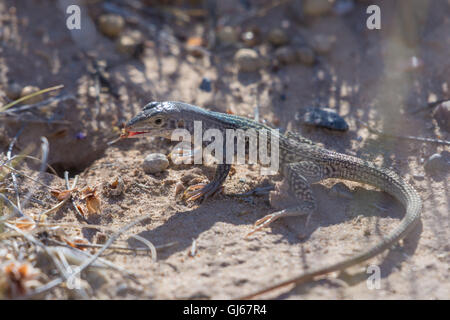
[(155, 119)]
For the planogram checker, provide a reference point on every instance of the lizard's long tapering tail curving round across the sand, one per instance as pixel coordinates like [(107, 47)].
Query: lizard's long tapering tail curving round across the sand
[(389, 182)]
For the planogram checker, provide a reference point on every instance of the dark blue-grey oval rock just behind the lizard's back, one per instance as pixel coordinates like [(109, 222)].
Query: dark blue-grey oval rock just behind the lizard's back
[(327, 118)]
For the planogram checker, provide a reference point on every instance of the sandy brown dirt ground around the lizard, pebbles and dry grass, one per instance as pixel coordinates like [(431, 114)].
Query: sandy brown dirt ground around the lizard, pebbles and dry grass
[(366, 75)]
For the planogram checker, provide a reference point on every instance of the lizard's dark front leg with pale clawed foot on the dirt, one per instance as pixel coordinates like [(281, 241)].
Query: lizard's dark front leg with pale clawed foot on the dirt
[(203, 190)]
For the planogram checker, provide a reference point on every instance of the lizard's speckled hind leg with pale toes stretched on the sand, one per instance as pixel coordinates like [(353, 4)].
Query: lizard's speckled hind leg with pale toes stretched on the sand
[(299, 176)]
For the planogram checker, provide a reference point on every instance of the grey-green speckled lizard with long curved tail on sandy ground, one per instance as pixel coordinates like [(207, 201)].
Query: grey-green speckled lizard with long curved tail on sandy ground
[(302, 163)]
